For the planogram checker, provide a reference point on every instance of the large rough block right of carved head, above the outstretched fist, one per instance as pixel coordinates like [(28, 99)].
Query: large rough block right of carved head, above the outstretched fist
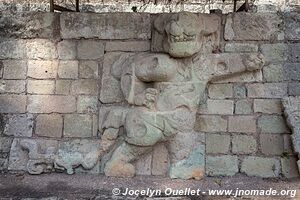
[(249, 26)]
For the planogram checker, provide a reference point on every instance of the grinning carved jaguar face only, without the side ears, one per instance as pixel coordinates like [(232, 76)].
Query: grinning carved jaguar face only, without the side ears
[(182, 32)]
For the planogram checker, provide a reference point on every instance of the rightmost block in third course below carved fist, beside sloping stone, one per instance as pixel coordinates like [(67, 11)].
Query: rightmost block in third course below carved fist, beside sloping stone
[(272, 124)]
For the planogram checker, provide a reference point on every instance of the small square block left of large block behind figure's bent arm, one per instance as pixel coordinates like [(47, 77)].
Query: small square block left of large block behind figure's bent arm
[(88, 69)]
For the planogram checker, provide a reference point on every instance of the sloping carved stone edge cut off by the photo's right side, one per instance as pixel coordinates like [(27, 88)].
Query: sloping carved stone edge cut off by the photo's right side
[(292, 111)]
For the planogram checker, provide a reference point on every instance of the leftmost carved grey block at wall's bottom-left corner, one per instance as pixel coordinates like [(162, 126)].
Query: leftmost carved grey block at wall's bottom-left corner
[(33, 155)]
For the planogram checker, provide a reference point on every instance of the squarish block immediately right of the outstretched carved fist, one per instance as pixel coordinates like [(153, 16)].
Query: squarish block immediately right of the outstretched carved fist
[(274, 52)]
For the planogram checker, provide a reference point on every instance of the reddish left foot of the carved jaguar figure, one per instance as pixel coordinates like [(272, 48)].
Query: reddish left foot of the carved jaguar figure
[(119, 169)]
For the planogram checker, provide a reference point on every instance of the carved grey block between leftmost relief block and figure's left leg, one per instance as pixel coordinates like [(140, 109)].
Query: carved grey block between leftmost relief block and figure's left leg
[(71, 154)]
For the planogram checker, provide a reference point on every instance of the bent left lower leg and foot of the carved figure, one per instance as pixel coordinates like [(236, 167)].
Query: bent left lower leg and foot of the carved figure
[(119, 164)]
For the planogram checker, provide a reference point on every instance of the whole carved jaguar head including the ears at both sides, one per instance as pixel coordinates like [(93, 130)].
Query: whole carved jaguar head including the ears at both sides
[(182, 34)]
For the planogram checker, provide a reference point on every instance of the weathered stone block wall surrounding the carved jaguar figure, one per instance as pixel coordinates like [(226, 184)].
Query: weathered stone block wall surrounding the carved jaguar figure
[(56, 87)]
